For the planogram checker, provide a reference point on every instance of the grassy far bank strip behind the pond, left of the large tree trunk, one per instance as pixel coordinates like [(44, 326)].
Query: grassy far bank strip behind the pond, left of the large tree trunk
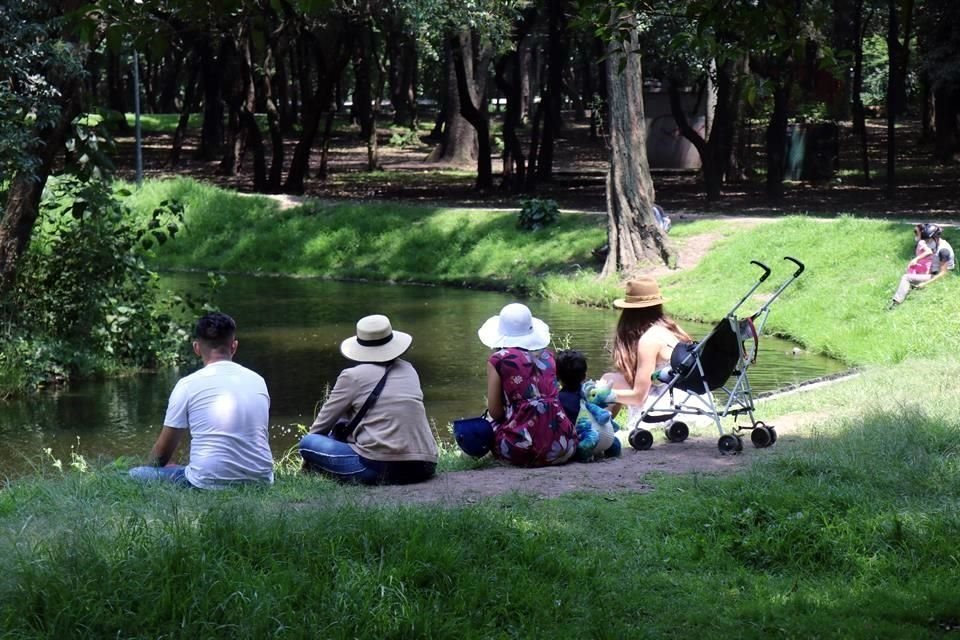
[(376, 241)]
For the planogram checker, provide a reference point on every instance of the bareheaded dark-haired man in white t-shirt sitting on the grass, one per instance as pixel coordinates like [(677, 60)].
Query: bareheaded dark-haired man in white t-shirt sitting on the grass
[(225, 406)]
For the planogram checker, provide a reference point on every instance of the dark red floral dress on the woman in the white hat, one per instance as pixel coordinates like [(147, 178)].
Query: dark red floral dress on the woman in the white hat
[(537, 431)]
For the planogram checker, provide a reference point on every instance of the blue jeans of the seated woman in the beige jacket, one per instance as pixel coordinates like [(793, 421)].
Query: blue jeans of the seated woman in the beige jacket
[(338, 459)]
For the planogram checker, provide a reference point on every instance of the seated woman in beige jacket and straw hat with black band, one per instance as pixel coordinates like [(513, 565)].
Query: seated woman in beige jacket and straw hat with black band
[(392, 442)]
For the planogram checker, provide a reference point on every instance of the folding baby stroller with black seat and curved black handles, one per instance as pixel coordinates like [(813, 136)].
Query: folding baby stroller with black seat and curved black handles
[(699, 368)]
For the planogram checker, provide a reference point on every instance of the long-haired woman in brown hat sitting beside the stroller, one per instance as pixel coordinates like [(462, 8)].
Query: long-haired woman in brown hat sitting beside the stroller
[(644, 342)]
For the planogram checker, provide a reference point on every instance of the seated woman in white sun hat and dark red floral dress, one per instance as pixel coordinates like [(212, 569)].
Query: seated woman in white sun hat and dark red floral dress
[(531, 428)]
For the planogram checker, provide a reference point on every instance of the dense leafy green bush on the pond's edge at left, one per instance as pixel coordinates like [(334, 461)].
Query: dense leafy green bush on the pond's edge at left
[(85, 290)]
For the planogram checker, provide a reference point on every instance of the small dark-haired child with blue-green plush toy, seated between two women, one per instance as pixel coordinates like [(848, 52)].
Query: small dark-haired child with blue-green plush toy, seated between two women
[(584, 402)]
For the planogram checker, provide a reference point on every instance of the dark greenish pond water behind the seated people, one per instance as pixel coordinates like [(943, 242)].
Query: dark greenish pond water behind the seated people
[(290, 331)]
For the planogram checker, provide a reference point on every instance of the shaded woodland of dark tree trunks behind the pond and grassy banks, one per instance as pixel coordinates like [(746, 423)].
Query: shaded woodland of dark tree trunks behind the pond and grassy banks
[(768, 95)]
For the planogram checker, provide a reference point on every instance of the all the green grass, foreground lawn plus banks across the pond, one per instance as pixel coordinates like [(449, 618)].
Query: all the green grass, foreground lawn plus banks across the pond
[(847, 528)]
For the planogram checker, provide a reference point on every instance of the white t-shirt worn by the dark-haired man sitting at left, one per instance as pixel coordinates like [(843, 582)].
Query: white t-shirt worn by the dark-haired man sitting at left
[(226, 407)]
